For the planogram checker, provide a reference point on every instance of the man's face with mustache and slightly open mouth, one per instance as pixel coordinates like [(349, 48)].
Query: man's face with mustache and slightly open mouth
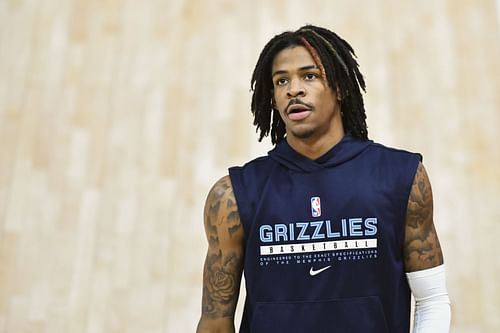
[(307, 105)]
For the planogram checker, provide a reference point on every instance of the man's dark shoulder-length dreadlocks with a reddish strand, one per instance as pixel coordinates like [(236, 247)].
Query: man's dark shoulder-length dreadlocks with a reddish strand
[(336, 60)]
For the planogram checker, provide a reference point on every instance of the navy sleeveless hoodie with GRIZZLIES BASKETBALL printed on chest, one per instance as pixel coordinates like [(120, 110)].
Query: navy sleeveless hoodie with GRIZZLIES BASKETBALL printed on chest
[(324, 239)]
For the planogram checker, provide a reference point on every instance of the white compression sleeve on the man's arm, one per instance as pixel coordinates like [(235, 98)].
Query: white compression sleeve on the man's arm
[(432, 307)]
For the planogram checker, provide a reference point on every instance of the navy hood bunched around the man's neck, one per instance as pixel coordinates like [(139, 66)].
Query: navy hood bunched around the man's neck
[(345, 150)]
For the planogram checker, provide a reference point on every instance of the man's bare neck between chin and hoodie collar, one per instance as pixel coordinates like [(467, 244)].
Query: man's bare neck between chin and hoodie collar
[(314, 148)]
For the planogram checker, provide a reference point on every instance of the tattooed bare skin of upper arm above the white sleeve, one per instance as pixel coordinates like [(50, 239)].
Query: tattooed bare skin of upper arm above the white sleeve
[(421, 249)]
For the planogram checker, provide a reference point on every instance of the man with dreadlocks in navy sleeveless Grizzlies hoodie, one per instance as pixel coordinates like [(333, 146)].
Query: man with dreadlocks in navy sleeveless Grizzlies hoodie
[(332, 230)]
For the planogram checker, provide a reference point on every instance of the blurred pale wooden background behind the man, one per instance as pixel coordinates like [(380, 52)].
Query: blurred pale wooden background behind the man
[(116, 116)]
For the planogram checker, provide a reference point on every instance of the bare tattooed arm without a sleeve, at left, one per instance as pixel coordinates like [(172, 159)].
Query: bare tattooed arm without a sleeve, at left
[(224, 261)]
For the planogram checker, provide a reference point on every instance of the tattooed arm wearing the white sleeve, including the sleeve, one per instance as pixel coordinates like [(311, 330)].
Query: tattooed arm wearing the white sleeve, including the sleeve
[(424, 260)]
